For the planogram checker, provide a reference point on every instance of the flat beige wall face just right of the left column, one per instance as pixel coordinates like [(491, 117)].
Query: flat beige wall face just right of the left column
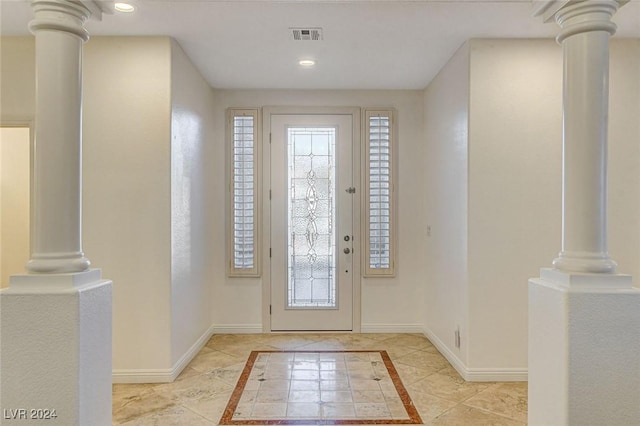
[(127, 198)]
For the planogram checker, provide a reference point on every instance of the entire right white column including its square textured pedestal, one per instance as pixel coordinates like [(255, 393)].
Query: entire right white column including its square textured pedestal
[(584, 320)]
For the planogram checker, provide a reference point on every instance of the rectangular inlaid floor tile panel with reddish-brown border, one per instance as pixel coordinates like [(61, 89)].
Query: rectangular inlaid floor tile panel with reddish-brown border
[(321, 388)]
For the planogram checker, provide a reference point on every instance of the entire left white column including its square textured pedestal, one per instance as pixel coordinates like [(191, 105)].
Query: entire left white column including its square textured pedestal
[(55, 322)]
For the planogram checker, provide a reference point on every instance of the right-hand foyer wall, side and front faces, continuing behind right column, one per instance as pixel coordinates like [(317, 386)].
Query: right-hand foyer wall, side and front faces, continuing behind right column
[(514, 190)]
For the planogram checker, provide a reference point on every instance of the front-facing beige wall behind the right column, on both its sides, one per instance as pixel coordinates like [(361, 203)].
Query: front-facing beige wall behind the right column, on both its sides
[(515, 145)]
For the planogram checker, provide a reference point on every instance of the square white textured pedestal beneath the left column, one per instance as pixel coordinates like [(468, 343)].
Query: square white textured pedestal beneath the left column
[(55, 361)]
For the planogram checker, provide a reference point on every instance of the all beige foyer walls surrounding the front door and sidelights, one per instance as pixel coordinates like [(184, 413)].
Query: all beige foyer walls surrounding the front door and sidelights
[(506, 224)]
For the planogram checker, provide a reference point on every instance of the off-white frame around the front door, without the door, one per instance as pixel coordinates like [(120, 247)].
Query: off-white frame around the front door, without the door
[(267, 112)]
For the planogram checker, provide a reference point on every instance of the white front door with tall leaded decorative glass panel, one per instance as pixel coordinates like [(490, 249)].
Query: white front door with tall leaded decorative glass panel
[(312, 221)]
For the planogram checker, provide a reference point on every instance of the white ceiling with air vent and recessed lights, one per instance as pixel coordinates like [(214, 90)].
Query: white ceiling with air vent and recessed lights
[(367, 44)]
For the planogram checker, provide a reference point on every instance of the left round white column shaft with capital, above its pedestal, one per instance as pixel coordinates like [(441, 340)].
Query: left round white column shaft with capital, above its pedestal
[(57, 175)]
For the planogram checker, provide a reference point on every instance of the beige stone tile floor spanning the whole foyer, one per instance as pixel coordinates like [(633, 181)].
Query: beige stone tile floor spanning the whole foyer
[(205, 388)]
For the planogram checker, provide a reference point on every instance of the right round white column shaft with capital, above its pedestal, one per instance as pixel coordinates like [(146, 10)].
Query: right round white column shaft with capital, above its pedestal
[(586, 28)]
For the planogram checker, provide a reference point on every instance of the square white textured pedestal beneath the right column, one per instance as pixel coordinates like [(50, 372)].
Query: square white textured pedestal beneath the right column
[(584, 340)]
